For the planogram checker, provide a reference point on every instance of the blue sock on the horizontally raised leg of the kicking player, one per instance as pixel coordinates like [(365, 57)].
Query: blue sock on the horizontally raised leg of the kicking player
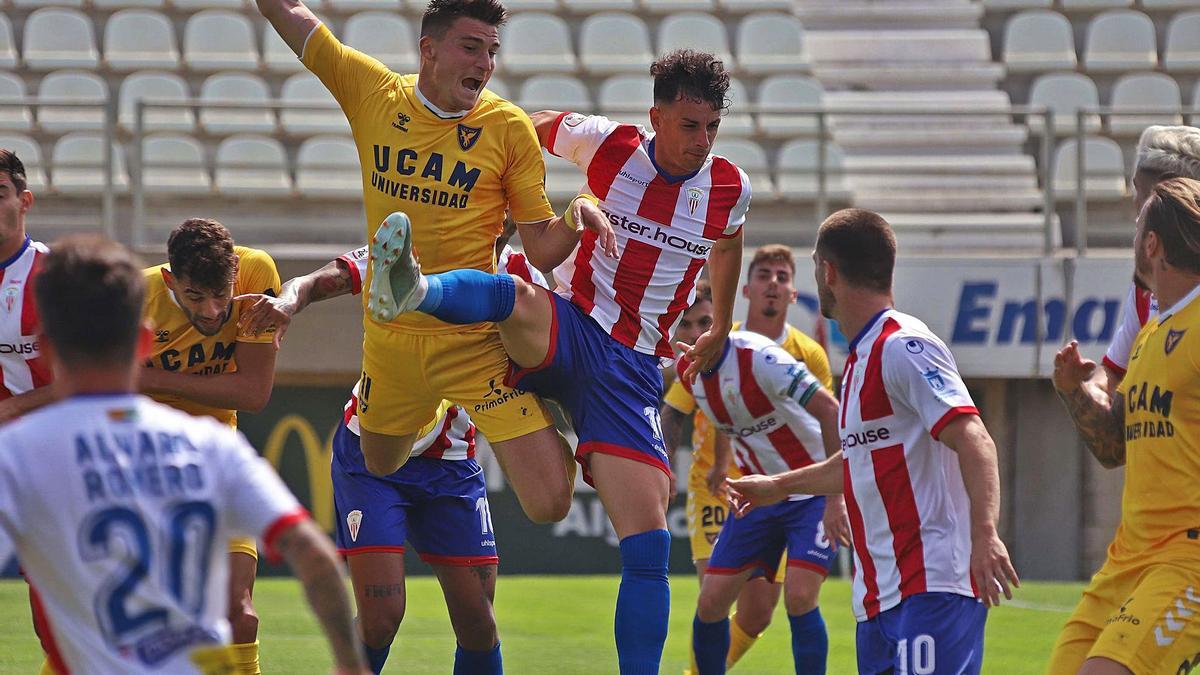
[(469, 296)]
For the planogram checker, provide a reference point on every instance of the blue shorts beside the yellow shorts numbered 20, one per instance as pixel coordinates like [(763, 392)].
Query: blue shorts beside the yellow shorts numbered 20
[(758, 540)]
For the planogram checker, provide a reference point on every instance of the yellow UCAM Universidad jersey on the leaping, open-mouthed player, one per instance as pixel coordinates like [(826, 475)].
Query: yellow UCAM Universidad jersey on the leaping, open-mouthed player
[(454, 175)]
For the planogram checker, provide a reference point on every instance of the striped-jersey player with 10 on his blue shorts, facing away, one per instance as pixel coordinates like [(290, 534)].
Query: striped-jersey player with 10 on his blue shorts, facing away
[(919, 469)]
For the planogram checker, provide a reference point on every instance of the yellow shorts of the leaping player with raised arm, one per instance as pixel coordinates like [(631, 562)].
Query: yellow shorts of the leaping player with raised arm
[(406, 377)]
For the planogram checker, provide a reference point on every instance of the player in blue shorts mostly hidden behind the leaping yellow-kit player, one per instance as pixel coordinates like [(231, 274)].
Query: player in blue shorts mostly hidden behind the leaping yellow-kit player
[(439, 499)]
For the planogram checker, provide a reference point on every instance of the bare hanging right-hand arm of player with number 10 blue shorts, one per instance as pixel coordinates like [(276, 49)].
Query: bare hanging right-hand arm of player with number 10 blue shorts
[(991, 566)]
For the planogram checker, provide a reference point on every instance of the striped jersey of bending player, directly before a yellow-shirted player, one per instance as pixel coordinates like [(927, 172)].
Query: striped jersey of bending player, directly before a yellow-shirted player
[(757, 396)]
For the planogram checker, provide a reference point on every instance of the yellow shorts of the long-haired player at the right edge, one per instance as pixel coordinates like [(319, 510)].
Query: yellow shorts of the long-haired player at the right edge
[(1147, 619)]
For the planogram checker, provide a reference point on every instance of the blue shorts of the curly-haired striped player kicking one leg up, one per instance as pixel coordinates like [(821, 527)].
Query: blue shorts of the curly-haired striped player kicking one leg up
[(610, 391)]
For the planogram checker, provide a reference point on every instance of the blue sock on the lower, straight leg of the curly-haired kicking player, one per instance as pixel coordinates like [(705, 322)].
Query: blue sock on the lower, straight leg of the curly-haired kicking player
[(644, 604)]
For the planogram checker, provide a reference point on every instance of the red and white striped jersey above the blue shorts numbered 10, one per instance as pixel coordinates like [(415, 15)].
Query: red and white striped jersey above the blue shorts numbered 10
[(909, 507)]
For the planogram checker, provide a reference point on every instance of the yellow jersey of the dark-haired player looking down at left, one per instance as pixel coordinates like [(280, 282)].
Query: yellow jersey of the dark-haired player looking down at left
[(179, 348)]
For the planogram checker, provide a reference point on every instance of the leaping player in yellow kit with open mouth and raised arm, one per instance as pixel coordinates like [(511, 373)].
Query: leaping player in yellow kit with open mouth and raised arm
[(453, 157)]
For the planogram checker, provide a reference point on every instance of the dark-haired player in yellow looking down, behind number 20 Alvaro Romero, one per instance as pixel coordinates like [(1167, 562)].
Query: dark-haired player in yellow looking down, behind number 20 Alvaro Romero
[(202, 366)]
